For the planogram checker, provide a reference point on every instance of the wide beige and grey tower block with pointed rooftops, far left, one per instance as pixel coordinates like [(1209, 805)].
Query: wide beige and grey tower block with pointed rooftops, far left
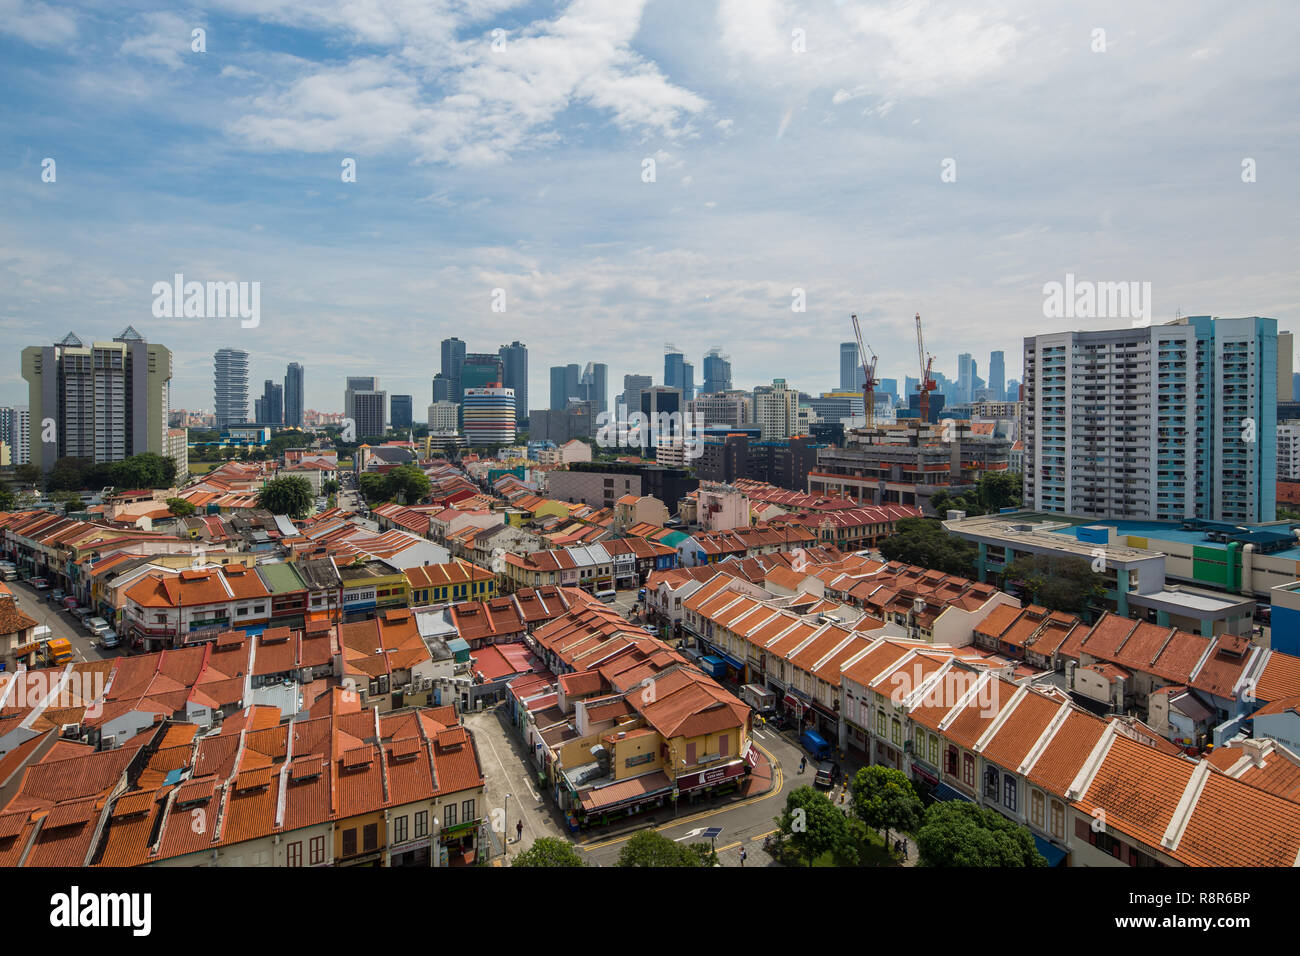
[(106, 401)]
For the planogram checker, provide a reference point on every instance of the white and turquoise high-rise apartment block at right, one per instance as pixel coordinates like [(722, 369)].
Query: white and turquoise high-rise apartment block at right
[(1165, 422)]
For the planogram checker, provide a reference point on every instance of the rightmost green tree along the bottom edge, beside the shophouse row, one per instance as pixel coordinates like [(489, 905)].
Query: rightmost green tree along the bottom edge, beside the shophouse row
[(961, 834)]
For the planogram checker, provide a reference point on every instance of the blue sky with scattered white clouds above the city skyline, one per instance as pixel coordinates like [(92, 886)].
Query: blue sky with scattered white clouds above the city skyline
[(874, 158)]
